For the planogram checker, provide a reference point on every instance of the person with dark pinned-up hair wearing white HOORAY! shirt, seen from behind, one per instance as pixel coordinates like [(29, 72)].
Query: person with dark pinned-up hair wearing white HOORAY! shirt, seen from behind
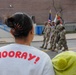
[(20, 58)]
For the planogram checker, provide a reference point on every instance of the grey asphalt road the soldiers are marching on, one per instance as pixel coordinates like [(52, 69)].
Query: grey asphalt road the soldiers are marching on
[(71, 46)]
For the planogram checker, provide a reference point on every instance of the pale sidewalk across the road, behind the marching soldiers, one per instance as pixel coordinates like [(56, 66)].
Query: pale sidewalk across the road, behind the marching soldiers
[(36, 38)]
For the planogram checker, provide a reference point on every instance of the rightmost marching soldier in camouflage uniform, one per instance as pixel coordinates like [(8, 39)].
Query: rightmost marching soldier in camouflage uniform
[(62, 41)]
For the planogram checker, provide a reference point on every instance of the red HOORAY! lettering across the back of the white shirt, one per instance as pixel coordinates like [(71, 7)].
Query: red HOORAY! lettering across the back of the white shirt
[(19, 54)]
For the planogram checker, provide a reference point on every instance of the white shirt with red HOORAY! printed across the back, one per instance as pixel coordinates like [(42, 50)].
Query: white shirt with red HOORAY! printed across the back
[(16, 59)]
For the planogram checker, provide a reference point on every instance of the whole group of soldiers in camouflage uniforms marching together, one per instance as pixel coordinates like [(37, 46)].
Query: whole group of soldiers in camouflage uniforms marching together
[(54, 33)]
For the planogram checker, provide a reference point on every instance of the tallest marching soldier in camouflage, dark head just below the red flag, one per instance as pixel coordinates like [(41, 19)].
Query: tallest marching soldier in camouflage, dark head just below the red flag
[(55, 37)]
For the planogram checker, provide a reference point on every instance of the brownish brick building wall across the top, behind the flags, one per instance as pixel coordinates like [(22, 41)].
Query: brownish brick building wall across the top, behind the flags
[(40, 9)]
